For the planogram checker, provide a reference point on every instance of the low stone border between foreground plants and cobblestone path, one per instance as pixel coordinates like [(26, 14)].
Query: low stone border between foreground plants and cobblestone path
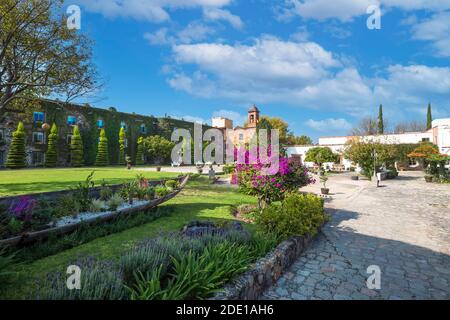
[(266, 271)]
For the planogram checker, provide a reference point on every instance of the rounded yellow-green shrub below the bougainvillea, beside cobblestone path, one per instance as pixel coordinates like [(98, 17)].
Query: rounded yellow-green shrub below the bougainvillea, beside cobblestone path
[(296, 215)]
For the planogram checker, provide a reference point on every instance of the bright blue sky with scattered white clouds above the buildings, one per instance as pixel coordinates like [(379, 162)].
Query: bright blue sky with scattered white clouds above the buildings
[(313, 63)]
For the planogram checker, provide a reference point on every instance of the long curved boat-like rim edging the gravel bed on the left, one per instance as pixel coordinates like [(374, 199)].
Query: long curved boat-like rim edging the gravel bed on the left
[(31, 237)]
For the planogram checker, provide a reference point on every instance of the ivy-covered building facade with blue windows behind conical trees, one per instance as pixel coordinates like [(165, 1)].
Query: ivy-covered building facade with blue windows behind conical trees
[(38, 117)]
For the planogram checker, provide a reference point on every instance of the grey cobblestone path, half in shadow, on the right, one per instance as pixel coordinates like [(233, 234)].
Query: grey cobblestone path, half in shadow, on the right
[(402, 227)]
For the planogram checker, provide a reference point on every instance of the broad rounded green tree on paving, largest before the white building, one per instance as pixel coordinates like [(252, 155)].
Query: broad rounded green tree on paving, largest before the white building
[(370, 155)]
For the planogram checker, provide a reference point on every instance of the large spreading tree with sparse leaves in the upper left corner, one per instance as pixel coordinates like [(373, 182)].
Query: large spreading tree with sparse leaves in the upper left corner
[(39, 55)]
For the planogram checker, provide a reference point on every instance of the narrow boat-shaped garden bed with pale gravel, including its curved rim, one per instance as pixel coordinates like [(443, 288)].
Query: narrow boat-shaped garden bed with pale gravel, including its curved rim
[(68, 224)]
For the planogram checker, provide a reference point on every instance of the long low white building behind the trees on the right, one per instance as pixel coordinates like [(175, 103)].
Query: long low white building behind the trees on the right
[(439, 135)]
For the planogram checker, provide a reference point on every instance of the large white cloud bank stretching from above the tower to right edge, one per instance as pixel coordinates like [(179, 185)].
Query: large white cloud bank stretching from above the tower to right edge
[(305, 75)]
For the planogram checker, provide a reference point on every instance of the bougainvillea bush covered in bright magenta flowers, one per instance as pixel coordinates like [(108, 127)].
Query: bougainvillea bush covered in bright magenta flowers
[(253, 180)]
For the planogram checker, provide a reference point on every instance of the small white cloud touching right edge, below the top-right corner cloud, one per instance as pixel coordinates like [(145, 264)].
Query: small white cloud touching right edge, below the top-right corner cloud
[(435, 29)]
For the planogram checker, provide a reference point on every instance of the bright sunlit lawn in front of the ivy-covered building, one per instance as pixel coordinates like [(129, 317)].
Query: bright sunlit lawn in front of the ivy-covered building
[(15, 182)]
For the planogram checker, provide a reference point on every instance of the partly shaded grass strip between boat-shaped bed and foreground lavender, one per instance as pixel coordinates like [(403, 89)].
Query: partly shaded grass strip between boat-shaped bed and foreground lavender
[(198, 201)]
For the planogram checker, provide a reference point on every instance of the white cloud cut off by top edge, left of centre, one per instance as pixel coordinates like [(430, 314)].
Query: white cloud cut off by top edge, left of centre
[(148, 10)]
